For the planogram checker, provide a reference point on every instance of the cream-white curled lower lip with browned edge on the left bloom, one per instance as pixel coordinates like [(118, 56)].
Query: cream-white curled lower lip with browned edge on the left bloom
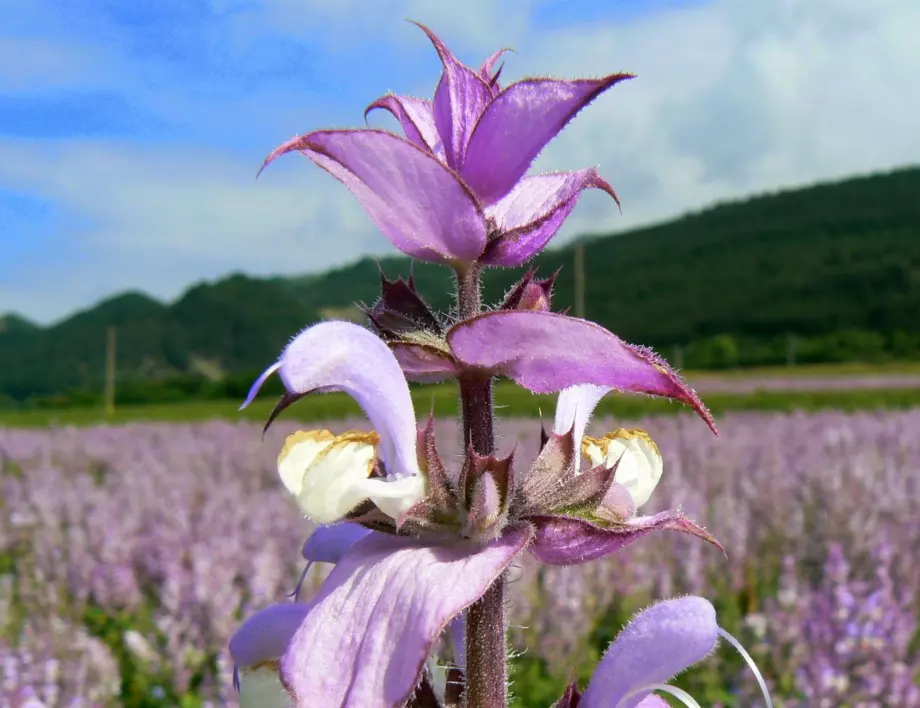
[(330, 476)]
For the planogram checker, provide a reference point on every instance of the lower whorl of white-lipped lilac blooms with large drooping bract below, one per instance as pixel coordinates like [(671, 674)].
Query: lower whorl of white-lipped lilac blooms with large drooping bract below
[(442, 536)]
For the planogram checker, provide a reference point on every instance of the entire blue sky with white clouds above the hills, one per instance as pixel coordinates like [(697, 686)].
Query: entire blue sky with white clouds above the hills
[(130, 133)]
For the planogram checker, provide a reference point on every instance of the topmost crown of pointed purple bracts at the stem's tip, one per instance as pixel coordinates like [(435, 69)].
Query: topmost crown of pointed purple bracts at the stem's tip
[(454, 190)]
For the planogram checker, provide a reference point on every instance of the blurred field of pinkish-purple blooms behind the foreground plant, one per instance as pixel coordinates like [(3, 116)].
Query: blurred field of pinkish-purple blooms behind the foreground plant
[(129, 554)]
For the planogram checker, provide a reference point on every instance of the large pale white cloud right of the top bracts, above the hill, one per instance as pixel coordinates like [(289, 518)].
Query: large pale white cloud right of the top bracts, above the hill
[(734, 98)]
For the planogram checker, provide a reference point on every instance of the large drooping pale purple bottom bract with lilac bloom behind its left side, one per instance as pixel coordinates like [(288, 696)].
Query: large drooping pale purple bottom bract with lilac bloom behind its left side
[(364, 639)]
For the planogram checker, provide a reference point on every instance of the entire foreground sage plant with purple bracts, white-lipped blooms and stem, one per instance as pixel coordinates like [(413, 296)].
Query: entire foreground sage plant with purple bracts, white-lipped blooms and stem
[(420, 547)]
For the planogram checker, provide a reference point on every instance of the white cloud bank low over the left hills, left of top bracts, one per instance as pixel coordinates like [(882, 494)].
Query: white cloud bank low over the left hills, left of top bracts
[(158, 220)]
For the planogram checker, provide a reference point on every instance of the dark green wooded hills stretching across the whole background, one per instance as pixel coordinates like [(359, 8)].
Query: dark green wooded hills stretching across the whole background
[(836, 266)]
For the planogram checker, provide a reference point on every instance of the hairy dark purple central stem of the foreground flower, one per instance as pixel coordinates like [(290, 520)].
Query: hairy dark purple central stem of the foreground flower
[(486, 650)]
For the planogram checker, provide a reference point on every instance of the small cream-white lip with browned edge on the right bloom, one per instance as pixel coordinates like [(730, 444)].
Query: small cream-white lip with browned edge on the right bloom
[(640, 462)]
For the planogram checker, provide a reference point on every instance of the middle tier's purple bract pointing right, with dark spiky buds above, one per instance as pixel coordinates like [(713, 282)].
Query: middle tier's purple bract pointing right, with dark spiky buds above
[(521, 341)]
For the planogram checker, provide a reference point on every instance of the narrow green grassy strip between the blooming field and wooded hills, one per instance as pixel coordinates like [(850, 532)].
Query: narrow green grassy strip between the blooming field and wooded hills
[(846, 387)]
